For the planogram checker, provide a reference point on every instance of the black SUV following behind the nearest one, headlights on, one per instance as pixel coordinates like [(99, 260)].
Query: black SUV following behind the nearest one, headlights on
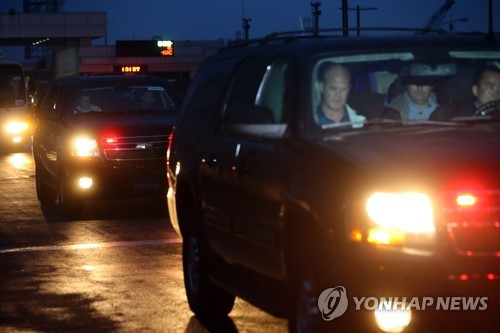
[(102, 136)]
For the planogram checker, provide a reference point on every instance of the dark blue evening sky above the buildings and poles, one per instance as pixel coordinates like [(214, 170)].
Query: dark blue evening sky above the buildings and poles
[(216, 19)]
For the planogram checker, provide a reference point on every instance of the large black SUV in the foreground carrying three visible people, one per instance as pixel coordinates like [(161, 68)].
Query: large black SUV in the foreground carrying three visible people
[(304, 216)]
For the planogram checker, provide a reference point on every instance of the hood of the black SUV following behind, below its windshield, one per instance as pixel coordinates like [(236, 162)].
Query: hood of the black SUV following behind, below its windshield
[(130, 125)]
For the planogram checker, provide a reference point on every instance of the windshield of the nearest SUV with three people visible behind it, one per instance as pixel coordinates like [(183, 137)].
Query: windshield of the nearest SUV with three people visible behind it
[(405, 88)]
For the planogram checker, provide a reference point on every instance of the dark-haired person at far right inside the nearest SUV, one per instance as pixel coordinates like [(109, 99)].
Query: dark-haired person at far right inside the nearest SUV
[(486, 88)]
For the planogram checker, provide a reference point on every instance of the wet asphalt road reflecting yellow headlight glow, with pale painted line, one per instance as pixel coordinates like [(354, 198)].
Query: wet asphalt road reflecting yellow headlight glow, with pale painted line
[(117, 269)]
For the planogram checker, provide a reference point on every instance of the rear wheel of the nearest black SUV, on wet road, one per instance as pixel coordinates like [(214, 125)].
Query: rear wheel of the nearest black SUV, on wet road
[(204, 298)]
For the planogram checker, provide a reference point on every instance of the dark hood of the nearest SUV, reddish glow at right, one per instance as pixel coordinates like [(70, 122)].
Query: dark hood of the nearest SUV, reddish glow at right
[(425, 155)]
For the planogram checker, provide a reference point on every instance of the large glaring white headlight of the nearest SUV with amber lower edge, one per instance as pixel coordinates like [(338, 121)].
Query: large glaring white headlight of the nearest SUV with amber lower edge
[(398, 215)]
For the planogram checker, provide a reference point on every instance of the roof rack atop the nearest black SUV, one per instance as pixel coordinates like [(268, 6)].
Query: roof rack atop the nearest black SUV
[(313, 33)]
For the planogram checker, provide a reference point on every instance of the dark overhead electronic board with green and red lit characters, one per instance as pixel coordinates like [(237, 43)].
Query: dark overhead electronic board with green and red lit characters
[(144, 48)]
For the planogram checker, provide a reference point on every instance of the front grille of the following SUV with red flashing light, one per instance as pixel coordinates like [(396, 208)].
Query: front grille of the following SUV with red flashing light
[(135, 148)]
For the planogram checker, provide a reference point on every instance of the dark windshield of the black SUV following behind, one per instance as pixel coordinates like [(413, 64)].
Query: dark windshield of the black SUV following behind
[(123, 99)]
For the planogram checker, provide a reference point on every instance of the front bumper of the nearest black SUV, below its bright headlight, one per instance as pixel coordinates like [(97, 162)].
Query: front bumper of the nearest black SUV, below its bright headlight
[(435, 288)]
